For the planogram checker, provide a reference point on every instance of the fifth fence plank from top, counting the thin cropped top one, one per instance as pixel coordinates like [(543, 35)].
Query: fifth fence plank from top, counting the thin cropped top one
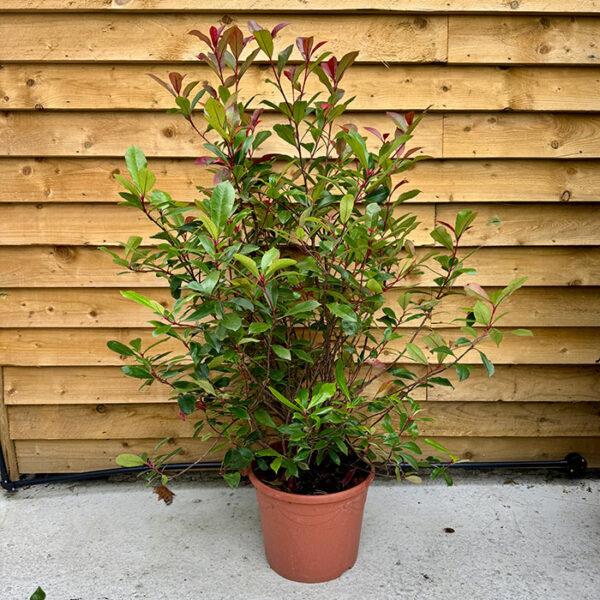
[(51, 179)]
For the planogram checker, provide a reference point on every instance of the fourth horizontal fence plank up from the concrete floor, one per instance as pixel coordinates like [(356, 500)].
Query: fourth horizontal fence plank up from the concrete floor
[(83, 347)]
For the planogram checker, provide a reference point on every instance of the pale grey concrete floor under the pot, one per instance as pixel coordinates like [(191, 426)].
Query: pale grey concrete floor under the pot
[(491, 536)]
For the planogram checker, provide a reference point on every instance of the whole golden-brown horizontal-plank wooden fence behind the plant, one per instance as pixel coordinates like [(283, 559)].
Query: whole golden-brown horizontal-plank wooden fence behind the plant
[(514, 132)]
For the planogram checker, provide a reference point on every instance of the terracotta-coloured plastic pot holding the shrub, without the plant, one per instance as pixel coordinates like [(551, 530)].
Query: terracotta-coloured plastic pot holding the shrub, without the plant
[(311, 538)]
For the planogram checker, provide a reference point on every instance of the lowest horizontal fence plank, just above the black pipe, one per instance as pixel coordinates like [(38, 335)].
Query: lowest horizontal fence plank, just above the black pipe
[(76, 456)]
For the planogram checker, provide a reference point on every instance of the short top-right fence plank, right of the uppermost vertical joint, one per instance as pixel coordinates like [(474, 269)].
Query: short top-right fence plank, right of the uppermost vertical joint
[(523, 40)]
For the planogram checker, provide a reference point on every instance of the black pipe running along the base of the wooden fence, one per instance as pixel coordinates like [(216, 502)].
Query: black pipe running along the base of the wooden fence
[(573, 464)]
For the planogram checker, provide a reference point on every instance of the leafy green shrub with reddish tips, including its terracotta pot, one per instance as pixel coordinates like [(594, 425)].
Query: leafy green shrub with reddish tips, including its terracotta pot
[(301, 336)]
